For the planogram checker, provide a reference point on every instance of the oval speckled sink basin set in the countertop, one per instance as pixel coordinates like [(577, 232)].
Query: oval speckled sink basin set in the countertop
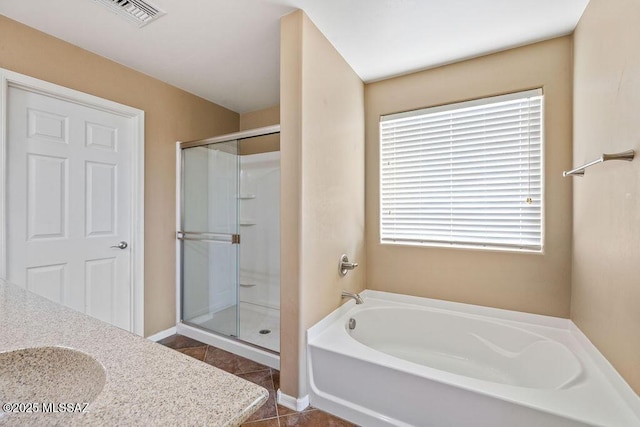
[(49, 374)]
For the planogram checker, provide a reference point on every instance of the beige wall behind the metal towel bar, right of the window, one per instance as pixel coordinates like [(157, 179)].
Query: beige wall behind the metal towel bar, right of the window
[(606, 228)]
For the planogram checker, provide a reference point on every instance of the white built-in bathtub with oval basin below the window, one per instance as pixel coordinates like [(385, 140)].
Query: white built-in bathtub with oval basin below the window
[(419, 362)]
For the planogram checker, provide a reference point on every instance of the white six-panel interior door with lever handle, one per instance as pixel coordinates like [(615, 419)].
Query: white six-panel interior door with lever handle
[(69, 204)]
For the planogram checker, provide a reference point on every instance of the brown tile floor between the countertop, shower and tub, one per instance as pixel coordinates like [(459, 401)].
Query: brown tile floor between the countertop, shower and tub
[(270, 414)]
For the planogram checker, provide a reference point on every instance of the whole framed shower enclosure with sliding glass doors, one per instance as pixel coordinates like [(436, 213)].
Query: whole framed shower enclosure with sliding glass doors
[(229, 242)]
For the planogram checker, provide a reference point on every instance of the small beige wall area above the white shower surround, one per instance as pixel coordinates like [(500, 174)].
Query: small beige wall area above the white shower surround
[(257, 119)]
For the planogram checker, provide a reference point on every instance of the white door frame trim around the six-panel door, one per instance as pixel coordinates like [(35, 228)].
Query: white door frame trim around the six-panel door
[(10, 79)]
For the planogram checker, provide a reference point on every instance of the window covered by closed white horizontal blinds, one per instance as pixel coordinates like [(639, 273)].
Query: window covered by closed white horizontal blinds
[(466, 174)]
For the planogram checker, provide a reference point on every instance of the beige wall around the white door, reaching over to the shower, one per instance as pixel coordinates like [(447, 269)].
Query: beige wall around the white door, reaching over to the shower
[(170, 115)]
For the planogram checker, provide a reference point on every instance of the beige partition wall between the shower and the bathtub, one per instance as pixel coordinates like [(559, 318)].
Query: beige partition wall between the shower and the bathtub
[(322, 205)]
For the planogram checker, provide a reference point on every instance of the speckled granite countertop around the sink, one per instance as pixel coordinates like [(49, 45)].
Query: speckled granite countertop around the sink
[(145, 384)]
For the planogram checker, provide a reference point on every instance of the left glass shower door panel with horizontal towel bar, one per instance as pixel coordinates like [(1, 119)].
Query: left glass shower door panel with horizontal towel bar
[(210, 237)]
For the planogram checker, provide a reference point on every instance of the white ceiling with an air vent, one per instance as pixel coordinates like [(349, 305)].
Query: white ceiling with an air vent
[(227, 51)]
